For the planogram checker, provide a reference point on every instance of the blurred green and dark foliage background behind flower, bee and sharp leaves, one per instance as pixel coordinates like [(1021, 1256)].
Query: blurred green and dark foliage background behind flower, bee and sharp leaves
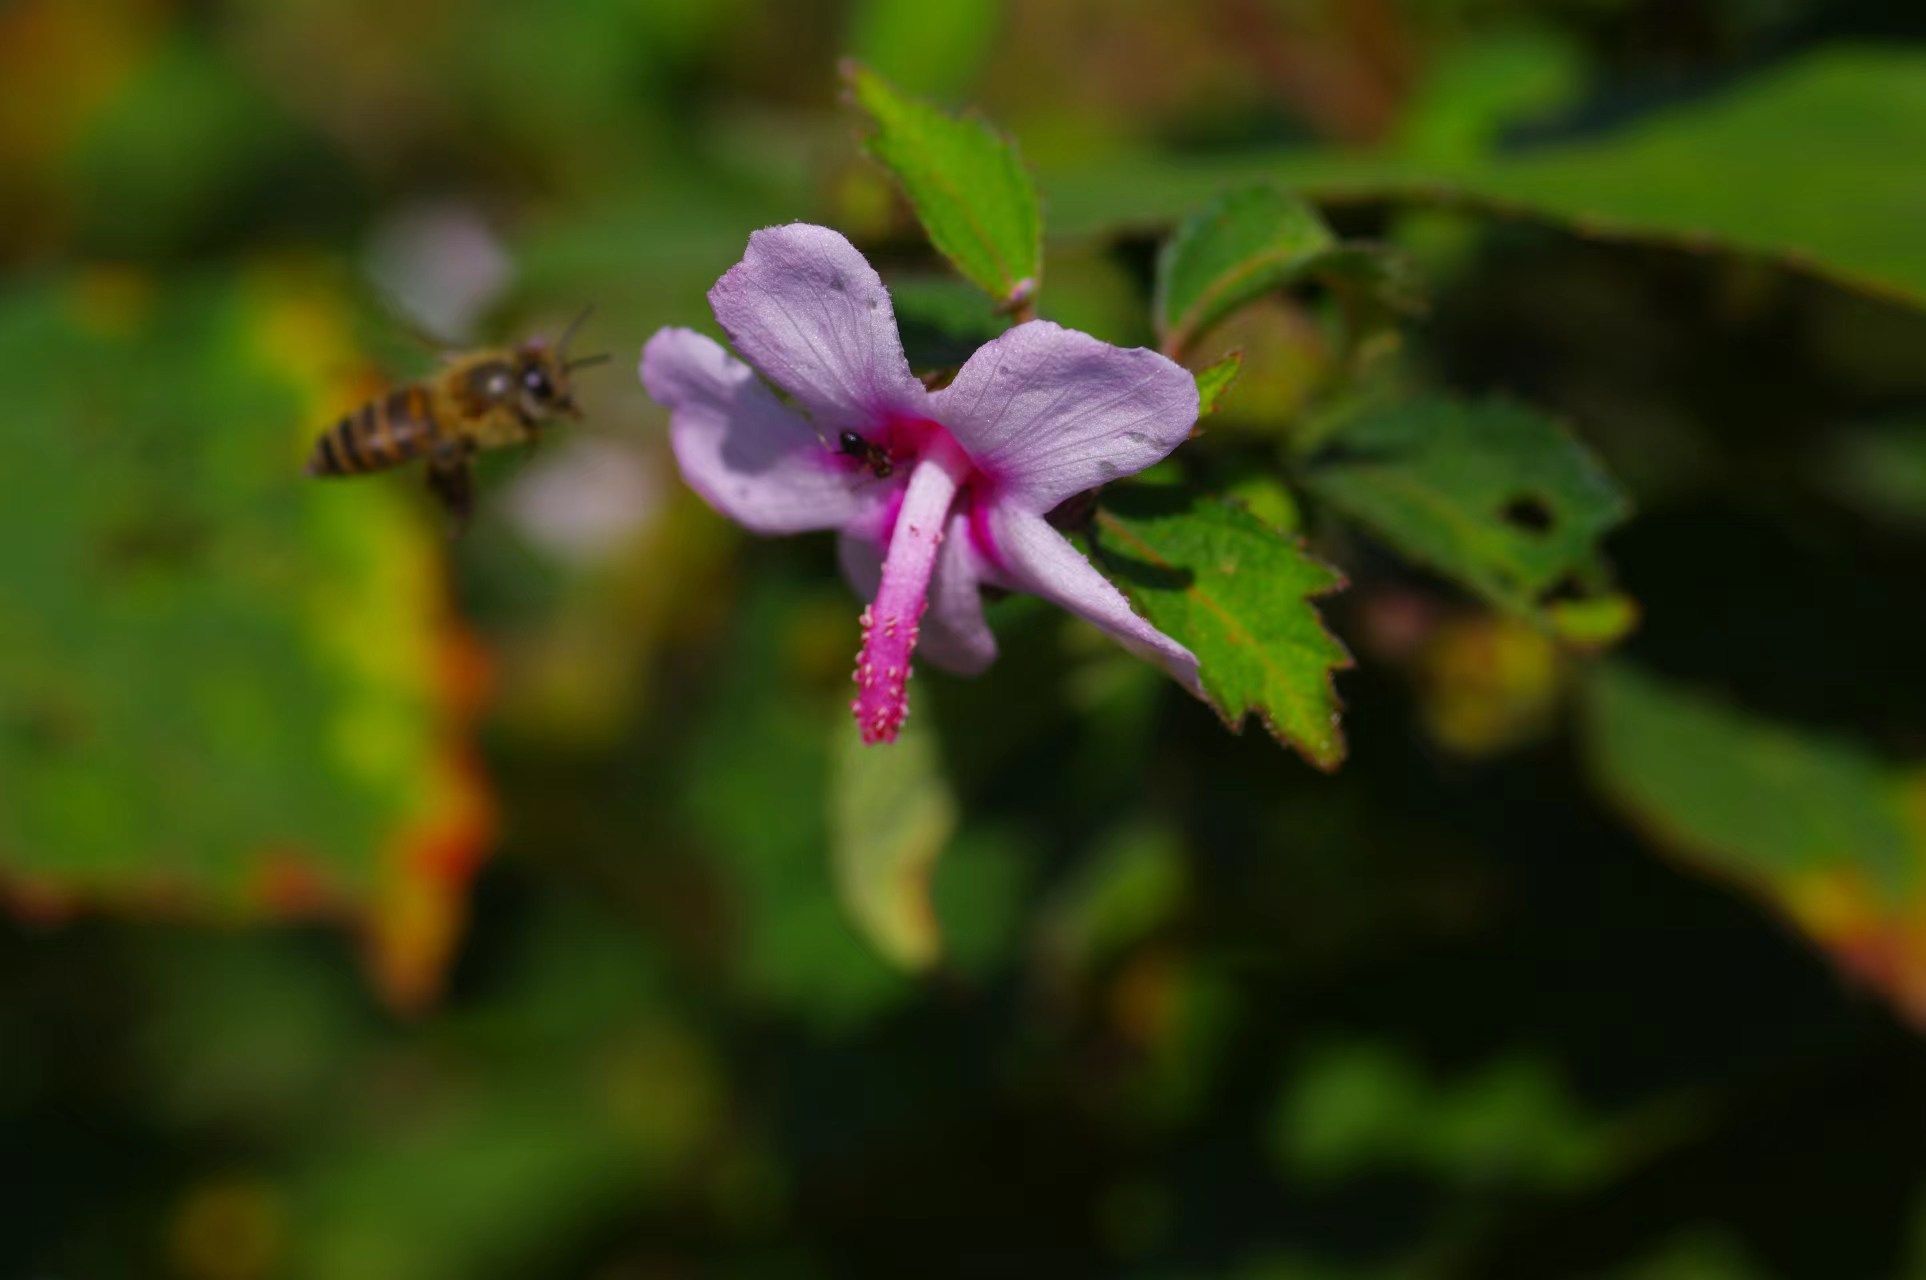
[(384, 906)]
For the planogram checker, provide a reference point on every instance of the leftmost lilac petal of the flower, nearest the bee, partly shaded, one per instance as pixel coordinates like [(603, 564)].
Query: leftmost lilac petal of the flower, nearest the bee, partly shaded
[(750, 457)]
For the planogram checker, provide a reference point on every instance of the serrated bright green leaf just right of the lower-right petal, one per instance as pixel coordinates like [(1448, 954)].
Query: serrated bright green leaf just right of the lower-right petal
[(1239, 596)]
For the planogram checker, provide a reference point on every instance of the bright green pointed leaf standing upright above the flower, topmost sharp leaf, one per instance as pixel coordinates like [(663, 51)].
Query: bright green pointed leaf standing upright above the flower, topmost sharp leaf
[(966, 184)]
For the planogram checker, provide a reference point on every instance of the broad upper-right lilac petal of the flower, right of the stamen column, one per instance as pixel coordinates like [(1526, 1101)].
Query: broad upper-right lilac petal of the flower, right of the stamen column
[(1053, 413)]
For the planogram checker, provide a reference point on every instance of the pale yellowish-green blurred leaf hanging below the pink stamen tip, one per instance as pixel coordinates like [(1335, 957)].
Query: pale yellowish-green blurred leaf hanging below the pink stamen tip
[(891, 817)]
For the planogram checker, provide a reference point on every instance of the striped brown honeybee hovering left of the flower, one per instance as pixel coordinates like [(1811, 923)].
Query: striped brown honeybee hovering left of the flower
[(484, 399)]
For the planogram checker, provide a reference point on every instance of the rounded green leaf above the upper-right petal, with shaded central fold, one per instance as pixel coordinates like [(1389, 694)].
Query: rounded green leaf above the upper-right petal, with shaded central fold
[(1239, 247)]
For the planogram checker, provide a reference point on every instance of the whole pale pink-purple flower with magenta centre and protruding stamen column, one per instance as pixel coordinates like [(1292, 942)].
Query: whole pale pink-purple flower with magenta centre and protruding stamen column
[(935, 492)]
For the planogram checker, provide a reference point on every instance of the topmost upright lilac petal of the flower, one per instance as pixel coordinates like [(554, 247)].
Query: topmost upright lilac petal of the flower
[(810, 313)]
